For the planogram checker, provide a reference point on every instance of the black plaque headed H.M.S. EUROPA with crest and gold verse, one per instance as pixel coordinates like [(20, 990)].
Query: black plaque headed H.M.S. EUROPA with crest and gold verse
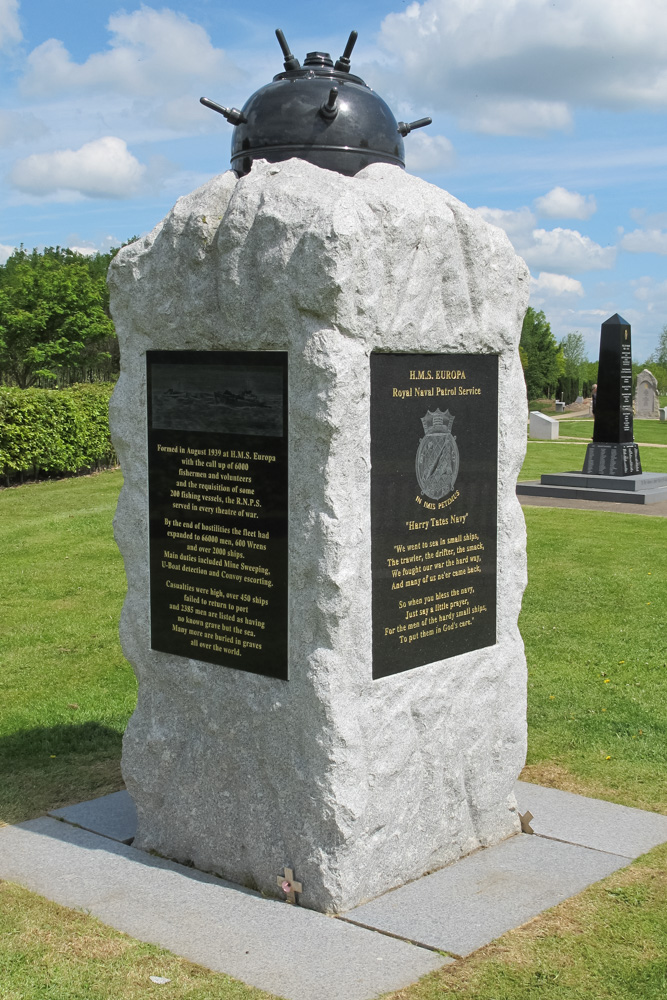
[(434, 475)]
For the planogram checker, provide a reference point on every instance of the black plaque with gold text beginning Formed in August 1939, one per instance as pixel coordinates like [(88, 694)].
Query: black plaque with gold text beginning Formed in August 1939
[(217, 473)]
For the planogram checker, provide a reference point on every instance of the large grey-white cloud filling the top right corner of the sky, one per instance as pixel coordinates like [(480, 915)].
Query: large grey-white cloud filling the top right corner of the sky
[(521, 66)]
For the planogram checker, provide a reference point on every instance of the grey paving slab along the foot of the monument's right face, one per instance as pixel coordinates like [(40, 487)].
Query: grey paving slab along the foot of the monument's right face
[(466, 905)]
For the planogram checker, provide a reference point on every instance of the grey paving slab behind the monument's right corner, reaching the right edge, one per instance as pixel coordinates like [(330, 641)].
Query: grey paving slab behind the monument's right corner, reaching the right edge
[(593, 823)]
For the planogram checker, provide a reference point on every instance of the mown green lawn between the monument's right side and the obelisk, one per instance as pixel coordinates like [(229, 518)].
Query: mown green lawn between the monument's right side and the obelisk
[(594, 622)]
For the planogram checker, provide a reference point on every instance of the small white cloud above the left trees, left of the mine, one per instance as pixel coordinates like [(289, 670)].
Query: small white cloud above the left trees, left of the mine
[(104, 168)]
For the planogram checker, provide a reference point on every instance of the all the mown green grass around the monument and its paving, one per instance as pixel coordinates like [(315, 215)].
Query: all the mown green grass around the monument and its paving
[(593, 622)]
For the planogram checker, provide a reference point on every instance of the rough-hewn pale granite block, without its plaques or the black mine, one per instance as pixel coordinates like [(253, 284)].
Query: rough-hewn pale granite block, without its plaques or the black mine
[(358, 785)]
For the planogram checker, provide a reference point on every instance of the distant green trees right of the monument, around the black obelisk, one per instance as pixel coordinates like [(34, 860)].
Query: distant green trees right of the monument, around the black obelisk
[(561, 369)]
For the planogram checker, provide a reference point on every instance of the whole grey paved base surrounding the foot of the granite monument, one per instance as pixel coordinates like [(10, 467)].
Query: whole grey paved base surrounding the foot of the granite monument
[(299, 954)]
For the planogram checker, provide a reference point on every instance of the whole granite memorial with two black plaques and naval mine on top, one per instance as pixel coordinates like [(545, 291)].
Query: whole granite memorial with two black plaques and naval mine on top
[(320, 419)]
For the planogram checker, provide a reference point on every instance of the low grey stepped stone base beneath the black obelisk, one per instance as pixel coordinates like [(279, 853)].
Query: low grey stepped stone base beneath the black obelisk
[(648, 487)]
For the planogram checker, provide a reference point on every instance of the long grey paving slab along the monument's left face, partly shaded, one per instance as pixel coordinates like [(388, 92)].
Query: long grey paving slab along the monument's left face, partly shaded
[(286, 950)]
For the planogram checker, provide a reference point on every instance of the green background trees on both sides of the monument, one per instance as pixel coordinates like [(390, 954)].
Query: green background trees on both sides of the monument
[(56, 329)]
